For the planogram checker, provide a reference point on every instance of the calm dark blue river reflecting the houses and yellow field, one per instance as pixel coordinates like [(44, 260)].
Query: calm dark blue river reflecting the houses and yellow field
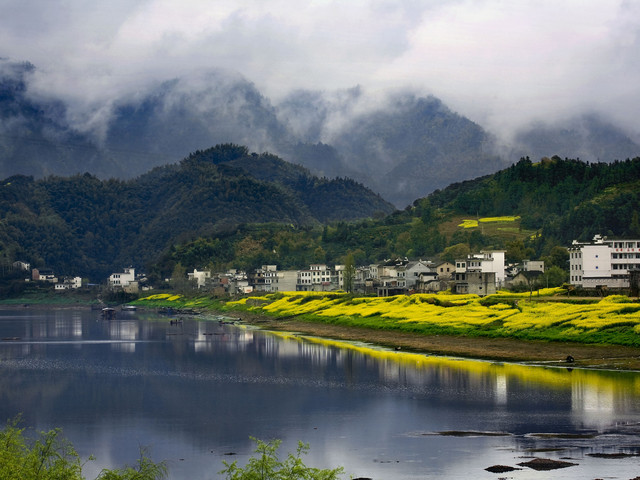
[(193, 393)]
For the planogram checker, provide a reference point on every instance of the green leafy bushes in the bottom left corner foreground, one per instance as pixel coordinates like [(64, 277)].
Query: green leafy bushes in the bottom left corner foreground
[(52, 457)]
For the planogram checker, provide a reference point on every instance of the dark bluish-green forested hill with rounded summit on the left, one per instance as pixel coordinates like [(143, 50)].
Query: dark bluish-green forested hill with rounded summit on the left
[(86, 226)]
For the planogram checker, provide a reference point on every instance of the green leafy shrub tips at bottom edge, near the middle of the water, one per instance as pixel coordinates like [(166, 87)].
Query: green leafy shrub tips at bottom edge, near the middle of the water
[(266, 465)]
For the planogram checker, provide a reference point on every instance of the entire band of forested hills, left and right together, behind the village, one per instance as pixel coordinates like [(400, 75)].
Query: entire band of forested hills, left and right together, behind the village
[(225, 207)]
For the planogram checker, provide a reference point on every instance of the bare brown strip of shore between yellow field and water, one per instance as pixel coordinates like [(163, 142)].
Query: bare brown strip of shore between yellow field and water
[(528, 352)]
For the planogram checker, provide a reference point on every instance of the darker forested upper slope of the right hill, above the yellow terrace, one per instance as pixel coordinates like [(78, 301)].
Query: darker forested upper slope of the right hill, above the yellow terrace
[(564, 199)]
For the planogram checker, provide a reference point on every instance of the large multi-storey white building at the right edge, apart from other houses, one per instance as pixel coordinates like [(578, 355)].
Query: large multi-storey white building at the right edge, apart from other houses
[(603, 262)]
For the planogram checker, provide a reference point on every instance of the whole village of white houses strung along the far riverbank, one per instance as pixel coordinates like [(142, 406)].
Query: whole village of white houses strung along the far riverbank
[(599, 264)]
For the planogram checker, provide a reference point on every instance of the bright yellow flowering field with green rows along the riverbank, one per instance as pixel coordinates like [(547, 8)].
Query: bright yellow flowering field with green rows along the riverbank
[(613, 320)]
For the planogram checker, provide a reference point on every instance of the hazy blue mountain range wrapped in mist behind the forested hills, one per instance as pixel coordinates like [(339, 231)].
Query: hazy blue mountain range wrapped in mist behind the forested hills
[(400, 144)]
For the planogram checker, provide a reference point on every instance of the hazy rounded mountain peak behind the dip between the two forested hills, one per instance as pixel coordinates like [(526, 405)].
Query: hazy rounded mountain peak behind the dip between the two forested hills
[(412, 146)]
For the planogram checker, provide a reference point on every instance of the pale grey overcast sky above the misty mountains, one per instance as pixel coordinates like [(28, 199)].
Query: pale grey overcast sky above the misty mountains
[(498, 62)]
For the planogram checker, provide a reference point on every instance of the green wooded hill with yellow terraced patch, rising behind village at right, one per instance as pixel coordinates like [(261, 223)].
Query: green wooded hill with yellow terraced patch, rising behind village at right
[(550, 204)]
